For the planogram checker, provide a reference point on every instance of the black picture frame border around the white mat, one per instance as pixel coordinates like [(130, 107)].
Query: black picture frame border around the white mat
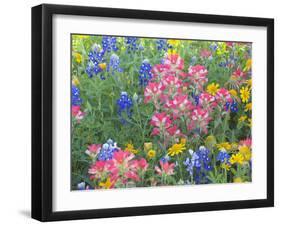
[(42, 107)]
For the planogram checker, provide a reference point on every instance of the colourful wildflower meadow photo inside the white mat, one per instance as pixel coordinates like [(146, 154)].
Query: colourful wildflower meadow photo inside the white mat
[(157, 112)]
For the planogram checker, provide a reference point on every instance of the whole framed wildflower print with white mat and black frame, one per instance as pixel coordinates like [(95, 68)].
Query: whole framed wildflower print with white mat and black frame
[(147, 112)]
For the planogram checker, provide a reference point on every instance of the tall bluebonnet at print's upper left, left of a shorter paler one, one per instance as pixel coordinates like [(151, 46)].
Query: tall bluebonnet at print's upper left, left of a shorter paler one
[(95, 60)]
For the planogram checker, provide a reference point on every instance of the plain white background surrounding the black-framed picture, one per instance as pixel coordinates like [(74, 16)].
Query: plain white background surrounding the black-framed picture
[(15, 93)]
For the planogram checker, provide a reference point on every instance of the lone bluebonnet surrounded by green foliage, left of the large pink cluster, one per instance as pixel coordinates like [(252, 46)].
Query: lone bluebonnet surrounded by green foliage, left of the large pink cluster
[(124, 105)]
